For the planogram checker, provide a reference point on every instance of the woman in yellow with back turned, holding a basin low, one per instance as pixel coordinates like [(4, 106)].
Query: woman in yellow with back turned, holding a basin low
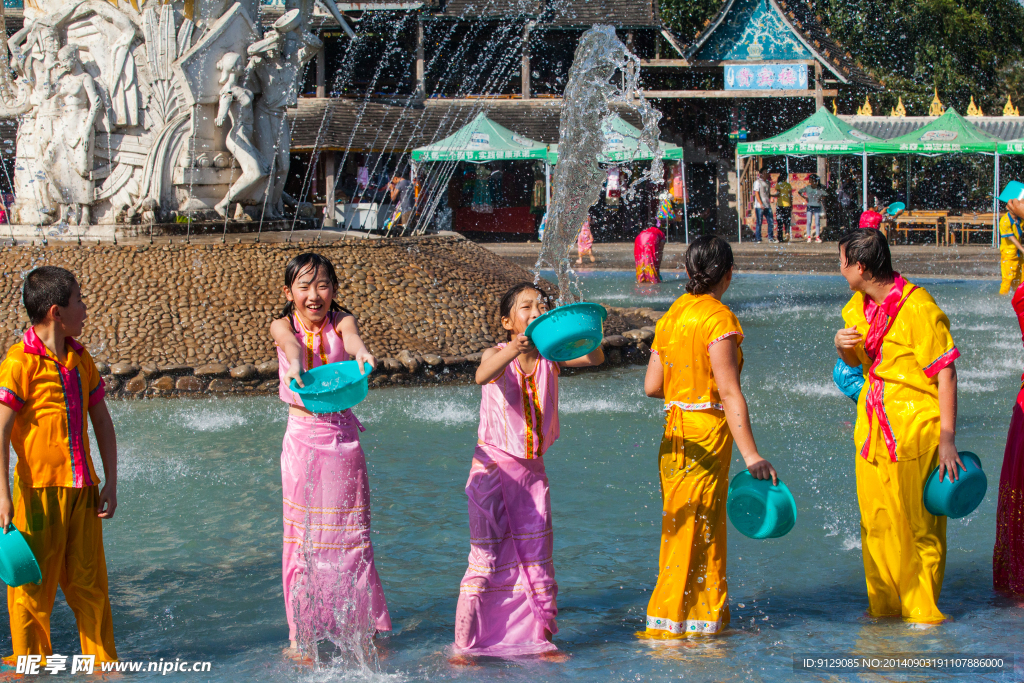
[(695, 367)]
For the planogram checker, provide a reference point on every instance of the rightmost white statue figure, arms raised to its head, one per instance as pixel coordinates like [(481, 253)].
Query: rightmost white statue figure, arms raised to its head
[(276, 76)]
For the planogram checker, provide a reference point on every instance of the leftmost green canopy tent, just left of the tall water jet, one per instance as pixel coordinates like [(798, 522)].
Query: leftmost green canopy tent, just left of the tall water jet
[(480, 142)]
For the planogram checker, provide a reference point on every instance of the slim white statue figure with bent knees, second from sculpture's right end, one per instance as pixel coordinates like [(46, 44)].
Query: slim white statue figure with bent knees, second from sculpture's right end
[(237, 103)]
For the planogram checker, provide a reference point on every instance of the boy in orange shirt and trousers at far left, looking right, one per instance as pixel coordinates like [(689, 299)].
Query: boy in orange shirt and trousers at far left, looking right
[(49, 387)]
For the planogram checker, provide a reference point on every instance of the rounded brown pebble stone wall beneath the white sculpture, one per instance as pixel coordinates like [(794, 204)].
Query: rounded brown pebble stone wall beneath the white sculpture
[(180, 319)]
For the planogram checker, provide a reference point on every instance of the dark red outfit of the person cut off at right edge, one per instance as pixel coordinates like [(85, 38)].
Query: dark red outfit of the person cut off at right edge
[(1008, 559)]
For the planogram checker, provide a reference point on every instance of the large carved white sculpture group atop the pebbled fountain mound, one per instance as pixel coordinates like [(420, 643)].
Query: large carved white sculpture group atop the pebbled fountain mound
[(131, 121)]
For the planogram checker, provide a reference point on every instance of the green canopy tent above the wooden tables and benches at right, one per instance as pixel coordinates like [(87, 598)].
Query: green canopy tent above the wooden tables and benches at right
[(951, 134)]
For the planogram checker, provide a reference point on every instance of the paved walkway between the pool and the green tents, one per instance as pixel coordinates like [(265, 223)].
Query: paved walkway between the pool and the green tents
[(924, 261)]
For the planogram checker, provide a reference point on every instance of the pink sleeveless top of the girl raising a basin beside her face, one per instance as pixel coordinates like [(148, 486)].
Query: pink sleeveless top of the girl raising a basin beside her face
[(520, 411)]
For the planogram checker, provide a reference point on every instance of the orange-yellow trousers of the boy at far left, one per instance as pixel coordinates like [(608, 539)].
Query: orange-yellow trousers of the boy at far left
[(61, 527)]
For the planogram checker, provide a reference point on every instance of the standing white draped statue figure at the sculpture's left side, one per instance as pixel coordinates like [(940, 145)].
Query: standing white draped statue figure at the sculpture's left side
[(69, 153)]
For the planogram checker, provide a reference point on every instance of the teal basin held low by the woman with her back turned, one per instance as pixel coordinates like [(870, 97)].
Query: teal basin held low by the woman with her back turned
[(758, 509)]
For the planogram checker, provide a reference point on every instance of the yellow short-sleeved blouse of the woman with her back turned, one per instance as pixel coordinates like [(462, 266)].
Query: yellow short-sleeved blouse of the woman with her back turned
[(684, 339)]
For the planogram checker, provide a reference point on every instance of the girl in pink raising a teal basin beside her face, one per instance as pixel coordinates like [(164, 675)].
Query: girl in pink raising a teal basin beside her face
[(507, 603)]
